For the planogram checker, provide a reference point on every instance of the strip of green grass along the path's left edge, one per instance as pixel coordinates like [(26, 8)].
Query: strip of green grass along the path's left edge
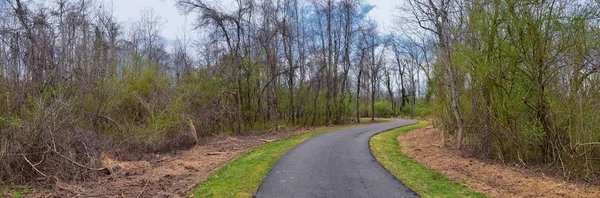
[(243, 176)]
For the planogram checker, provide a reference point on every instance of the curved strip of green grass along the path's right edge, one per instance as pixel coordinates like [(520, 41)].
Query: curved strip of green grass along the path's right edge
[(425, 182)]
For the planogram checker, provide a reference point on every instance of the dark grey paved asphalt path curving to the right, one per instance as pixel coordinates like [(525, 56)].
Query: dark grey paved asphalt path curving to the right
[(335, 164)]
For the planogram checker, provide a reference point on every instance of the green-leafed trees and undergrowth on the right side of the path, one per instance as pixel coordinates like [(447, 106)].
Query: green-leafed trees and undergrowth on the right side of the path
[(517, 80)]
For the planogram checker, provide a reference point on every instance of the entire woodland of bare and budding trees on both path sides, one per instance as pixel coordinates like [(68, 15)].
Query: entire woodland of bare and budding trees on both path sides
[(511, 80)]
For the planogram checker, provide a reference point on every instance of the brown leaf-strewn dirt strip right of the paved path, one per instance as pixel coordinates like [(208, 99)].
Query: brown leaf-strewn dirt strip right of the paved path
[(490, 178)]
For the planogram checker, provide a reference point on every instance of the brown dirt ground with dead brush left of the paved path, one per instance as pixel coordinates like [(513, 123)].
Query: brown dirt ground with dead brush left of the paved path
[(168, 175)]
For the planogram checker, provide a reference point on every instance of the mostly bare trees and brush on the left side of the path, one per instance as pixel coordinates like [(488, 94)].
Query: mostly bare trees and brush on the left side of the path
[(76, 83)]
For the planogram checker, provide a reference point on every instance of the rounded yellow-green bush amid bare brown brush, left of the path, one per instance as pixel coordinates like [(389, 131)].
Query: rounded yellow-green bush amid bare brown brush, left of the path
[(143, 109)]
